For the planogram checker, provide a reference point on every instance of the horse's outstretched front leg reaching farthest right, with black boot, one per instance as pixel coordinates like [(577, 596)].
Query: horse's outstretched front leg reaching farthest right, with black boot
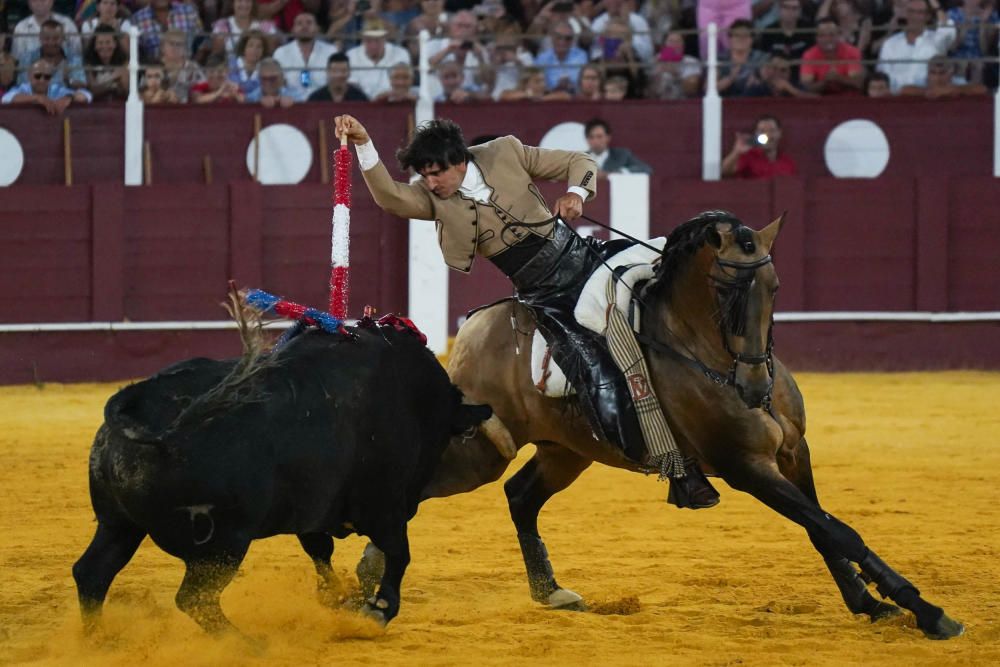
[(762, 479)]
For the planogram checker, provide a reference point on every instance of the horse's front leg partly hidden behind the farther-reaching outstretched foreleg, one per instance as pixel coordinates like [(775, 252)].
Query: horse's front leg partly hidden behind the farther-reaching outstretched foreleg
[(795, 466)]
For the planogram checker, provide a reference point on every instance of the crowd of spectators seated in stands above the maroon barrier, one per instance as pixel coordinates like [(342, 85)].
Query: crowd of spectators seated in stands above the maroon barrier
[(282, 52)]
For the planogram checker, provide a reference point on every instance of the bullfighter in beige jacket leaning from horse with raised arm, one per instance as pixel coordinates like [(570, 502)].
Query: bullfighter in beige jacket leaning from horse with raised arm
[(484, 202)]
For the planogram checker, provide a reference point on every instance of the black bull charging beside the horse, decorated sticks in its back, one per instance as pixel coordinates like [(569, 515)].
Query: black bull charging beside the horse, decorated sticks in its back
[(329, 436)]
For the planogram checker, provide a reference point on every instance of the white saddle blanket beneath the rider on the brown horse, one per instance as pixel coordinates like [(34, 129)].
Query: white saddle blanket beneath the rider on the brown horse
[(591, 311)]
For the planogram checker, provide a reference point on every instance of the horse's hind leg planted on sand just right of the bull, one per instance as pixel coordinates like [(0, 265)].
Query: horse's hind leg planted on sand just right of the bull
[(550, 470)]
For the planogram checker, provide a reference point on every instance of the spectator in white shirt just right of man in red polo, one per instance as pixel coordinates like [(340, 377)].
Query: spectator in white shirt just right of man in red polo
[(916, 43)]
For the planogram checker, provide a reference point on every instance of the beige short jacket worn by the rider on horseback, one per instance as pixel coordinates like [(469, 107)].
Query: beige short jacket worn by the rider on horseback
[(467, 227)]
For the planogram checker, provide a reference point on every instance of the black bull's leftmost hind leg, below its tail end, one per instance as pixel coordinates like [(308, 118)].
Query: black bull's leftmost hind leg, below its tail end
[(112, 547)]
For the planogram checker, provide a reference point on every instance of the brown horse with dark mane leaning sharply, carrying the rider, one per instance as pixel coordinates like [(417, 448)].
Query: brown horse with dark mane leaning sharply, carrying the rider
[(709, 306)]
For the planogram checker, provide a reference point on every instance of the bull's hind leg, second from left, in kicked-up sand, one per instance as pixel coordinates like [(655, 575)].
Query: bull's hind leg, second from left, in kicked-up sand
[(204, 581)]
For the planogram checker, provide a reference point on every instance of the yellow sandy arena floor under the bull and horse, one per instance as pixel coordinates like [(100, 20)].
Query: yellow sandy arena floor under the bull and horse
[(911, 461)]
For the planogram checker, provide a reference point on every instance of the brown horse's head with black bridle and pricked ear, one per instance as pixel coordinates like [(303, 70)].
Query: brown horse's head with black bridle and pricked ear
[(745, 283)]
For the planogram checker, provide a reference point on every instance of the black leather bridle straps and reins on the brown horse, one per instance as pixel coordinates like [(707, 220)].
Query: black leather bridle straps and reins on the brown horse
[(719, 378)]
